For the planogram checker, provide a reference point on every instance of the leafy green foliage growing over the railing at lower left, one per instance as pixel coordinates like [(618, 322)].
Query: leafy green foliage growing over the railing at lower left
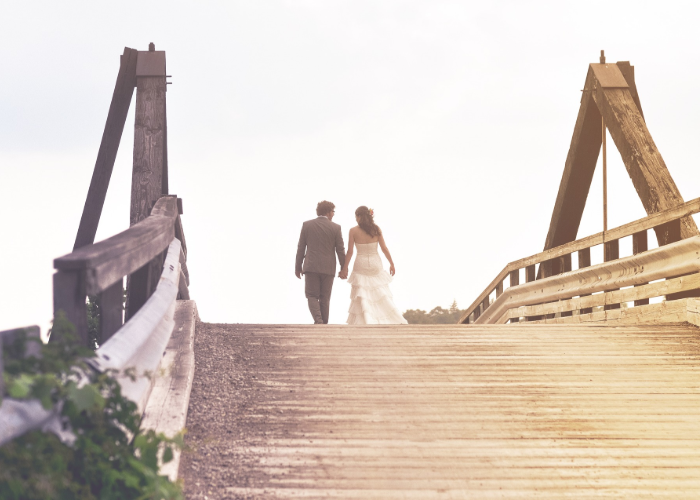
[(104, 462)]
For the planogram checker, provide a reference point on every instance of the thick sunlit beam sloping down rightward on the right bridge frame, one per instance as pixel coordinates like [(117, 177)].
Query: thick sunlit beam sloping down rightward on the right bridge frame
[(642, 159)]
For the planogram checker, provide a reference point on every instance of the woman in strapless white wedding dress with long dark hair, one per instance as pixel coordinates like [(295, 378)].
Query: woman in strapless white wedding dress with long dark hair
[(371, 300)]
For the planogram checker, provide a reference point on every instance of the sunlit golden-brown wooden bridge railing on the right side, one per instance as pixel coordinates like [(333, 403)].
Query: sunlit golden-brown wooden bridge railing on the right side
[(561, 291)]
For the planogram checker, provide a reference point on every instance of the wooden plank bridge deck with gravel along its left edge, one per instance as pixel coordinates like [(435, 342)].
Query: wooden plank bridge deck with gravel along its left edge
[(427, 411)]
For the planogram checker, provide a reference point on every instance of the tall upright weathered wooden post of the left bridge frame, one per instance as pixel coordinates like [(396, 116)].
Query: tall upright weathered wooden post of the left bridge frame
[(149, 163)]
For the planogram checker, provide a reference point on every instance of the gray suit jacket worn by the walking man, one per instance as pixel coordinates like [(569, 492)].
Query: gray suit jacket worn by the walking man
[(319, 238)]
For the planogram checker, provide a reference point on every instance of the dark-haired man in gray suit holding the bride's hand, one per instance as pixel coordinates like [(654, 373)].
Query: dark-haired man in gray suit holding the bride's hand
[(320, 239)]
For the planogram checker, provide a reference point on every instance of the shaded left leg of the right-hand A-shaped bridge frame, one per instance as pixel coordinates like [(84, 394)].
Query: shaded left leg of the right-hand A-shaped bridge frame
[(578, 173)]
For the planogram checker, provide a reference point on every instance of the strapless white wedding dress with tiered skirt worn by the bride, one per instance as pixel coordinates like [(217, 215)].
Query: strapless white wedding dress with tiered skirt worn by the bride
[(371, 300)]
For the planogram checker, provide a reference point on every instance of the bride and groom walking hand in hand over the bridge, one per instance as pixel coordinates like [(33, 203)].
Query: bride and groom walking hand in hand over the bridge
[(320, 240)]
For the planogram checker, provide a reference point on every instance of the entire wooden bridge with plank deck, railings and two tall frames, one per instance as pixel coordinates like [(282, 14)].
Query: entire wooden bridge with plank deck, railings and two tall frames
[(566, 378)]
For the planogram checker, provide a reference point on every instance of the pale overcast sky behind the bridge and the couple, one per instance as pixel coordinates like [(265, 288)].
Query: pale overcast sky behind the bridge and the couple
[(451, 119)]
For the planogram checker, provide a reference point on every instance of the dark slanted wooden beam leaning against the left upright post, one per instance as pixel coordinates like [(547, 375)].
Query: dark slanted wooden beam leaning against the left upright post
[(107, 154)]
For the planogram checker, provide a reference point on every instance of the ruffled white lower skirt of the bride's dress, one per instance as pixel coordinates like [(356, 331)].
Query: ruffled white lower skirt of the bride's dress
[(371, 300)]
